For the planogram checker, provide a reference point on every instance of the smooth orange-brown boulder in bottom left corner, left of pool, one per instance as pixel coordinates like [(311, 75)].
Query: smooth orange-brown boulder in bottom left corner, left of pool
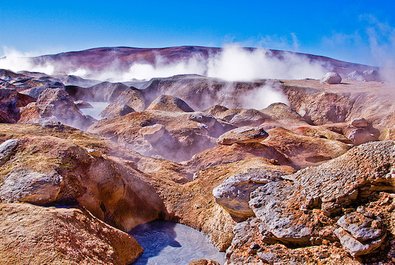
[(60, 236)]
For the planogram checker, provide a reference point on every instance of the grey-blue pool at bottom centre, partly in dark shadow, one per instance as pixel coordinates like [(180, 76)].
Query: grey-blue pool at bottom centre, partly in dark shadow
[(172, 243)]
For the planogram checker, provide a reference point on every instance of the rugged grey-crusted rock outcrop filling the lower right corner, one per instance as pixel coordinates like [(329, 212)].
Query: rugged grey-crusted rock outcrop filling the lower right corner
[(334, 207)]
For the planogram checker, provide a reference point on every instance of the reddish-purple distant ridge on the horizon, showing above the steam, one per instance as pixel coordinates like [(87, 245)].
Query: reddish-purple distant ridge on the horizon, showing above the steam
[(100, 58)]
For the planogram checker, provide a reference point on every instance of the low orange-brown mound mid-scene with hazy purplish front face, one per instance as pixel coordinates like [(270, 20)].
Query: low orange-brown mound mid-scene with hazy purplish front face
[(172, 135)]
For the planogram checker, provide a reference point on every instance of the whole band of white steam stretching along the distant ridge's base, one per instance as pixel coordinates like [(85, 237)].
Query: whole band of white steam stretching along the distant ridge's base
[(234, 63)]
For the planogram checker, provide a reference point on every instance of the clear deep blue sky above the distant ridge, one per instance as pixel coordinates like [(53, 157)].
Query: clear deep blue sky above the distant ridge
[(340, 29)]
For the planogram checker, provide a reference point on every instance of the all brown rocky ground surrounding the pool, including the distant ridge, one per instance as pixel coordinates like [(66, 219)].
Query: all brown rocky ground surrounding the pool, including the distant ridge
[(308, 180)]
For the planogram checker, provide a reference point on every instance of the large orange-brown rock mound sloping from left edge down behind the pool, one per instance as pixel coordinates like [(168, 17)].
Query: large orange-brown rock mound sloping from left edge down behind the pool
[(116, 185)]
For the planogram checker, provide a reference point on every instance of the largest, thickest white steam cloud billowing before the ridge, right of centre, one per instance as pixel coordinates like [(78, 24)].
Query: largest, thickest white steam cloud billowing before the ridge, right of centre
[(234, 63)]
